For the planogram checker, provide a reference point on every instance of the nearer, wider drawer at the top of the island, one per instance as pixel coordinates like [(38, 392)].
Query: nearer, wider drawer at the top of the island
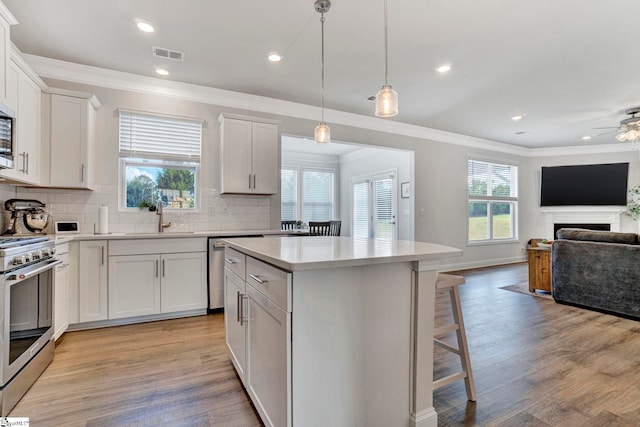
[(272, 282)]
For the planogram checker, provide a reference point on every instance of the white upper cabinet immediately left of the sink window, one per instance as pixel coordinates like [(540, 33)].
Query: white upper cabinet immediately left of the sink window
[(73, 119)]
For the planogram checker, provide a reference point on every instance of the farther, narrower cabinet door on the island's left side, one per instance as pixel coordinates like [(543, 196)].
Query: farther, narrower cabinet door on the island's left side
[(234, 293)]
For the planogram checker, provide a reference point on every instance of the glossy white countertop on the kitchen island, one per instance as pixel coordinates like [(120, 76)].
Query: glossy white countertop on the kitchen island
[(315, 252)]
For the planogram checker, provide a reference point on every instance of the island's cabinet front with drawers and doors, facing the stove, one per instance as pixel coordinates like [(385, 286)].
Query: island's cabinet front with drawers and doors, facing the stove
[(258, 333)]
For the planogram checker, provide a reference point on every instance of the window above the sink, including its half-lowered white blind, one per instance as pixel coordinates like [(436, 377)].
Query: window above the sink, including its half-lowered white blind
[(159, 158)]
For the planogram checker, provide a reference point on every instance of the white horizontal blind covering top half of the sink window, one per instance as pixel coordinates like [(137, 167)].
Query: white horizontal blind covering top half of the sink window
[(160, 137)]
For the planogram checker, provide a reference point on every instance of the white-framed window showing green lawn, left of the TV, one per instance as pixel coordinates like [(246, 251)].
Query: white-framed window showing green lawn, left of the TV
[(492, 201)]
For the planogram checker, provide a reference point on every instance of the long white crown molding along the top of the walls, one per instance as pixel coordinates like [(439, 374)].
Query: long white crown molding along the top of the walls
[(101, 77)]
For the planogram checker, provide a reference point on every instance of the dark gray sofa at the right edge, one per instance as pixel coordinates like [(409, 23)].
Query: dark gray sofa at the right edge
[(598, 270)]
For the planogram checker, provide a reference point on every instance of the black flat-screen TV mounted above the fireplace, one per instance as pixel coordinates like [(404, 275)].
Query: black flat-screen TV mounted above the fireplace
[(588, 185)]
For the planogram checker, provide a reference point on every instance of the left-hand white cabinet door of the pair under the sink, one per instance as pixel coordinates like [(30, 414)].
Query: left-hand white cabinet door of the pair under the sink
[(134, 285)]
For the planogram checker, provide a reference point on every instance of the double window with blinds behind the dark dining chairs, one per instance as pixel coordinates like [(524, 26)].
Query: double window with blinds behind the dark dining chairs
[(307, 194)]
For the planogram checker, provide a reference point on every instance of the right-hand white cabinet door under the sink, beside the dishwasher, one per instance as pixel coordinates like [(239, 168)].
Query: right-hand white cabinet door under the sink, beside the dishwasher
[(184, 281)]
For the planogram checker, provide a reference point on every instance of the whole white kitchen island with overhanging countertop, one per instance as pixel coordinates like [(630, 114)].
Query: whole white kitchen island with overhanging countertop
[(334, 330)]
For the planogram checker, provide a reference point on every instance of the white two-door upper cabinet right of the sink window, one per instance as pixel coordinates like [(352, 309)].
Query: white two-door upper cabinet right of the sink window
[(249, 155)]
